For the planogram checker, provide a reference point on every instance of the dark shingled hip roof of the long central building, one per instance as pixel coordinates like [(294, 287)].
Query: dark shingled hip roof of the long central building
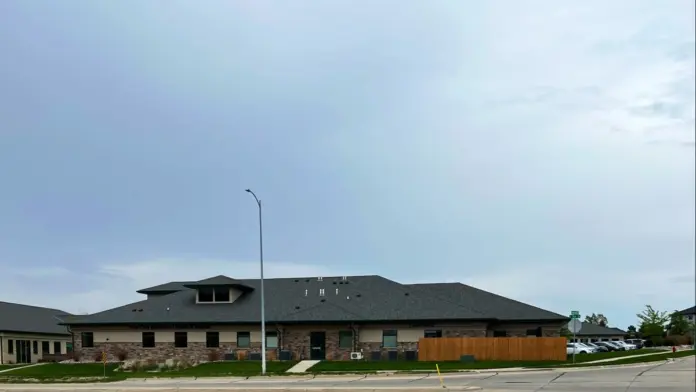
[(357, 299)]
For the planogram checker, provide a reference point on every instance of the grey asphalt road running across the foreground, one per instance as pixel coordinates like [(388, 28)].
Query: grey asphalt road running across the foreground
[(678, 376)]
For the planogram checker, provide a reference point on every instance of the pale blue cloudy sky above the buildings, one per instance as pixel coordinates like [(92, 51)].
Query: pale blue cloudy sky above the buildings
[(542, 150)]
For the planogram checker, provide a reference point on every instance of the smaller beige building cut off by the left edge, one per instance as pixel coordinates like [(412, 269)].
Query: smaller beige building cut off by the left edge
[(30, 333)]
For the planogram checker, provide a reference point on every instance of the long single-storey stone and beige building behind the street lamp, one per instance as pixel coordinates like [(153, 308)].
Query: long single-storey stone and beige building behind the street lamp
[(306, 318)]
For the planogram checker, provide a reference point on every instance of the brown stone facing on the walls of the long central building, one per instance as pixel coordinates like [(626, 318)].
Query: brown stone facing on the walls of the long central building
[(296, 339)]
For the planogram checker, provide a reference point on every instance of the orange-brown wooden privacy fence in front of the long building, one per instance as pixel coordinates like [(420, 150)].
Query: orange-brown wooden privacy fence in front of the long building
[(492, 349)]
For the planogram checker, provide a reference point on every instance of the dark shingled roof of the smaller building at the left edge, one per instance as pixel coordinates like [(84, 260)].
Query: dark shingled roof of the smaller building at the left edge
[(31, 319)]
